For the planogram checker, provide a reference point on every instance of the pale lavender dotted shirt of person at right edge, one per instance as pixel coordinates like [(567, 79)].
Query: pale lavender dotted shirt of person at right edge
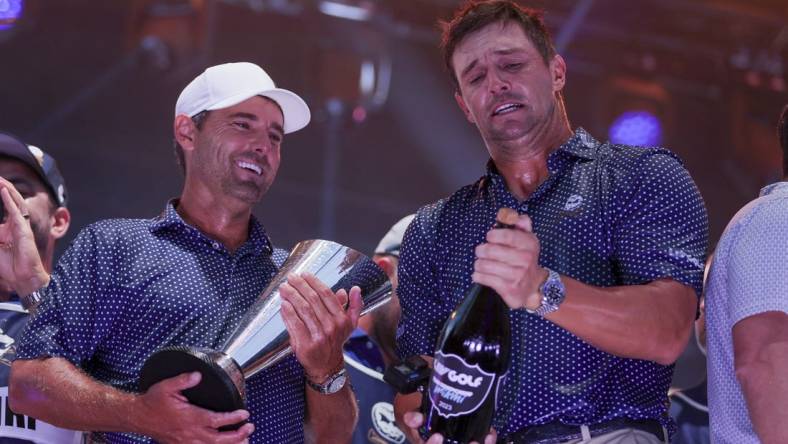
[(747, 277)]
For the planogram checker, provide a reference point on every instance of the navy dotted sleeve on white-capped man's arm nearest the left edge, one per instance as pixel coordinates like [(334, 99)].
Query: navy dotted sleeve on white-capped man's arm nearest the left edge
[(76, 312)]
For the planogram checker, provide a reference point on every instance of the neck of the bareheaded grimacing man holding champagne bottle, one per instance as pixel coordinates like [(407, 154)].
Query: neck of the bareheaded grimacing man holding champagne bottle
[(523, 162)]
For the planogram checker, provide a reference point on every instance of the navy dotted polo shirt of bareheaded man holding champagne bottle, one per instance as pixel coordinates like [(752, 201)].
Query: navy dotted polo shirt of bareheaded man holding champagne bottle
[(607, 215)]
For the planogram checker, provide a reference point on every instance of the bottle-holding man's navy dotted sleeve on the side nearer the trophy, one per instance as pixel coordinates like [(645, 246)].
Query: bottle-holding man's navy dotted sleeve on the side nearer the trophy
[(423, 311)]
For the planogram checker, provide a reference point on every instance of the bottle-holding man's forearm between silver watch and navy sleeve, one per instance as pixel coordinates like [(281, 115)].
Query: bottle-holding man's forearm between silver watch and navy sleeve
[(651, 321)]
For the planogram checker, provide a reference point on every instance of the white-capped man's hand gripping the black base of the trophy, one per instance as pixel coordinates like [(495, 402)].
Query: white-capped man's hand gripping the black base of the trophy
[(167, 416)]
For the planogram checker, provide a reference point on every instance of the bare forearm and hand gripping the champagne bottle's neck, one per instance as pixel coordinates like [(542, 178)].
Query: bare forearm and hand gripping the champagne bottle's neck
[(651, 321)]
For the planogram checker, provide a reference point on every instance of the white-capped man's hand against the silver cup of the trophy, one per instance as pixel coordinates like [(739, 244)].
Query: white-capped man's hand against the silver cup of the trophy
[(318, 323)]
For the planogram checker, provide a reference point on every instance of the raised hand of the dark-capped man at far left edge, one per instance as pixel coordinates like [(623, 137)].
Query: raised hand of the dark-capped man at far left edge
[(20, 263)]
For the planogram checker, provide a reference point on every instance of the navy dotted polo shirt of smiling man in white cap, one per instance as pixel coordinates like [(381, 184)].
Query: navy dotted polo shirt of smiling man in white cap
[(126, 288)]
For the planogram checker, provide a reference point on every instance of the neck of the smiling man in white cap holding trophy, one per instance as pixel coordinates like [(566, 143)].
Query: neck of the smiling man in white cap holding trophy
[(218, 217)]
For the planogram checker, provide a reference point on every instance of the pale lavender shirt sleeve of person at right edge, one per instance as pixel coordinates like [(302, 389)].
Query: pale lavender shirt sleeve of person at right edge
[(756, 274)]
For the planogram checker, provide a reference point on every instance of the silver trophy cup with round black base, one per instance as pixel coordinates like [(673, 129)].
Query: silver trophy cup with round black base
[(261, 339)]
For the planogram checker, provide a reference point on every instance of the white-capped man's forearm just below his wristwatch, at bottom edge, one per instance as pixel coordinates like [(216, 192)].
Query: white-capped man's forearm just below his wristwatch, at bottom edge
[(331, 418)]
